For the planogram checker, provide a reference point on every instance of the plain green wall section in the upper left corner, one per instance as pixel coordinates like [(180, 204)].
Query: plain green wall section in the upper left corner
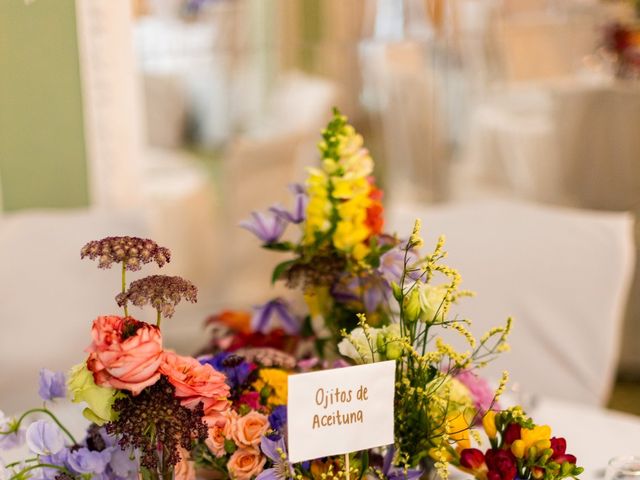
[(42, 150)]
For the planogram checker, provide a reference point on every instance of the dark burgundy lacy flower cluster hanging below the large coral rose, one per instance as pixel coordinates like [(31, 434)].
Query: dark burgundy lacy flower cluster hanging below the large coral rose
[(172, 424)]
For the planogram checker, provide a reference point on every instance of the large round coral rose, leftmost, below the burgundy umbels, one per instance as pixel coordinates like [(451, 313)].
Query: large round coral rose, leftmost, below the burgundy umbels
[(125, 353)]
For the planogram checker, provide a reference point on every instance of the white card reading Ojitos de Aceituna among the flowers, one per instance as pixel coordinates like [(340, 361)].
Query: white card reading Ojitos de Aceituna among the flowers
[(342, 410)]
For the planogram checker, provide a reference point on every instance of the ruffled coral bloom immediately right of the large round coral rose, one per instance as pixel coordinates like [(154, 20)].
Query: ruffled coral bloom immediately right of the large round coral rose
[(196, 383)]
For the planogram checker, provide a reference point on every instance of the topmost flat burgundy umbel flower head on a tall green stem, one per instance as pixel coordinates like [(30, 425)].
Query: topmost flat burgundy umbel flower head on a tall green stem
[(132, 251)]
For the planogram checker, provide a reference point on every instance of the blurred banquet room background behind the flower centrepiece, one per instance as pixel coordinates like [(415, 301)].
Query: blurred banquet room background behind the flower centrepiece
[(513, 124)]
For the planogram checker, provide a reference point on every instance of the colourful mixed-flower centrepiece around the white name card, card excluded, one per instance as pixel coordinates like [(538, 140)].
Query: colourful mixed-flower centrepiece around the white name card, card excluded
[(370, 297)]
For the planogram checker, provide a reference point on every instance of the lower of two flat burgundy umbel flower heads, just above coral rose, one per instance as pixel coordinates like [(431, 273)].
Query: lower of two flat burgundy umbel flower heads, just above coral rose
[(162, 292)]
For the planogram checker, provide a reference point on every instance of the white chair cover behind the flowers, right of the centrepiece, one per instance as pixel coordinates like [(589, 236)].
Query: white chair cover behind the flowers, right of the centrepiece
[(563, 274)]
